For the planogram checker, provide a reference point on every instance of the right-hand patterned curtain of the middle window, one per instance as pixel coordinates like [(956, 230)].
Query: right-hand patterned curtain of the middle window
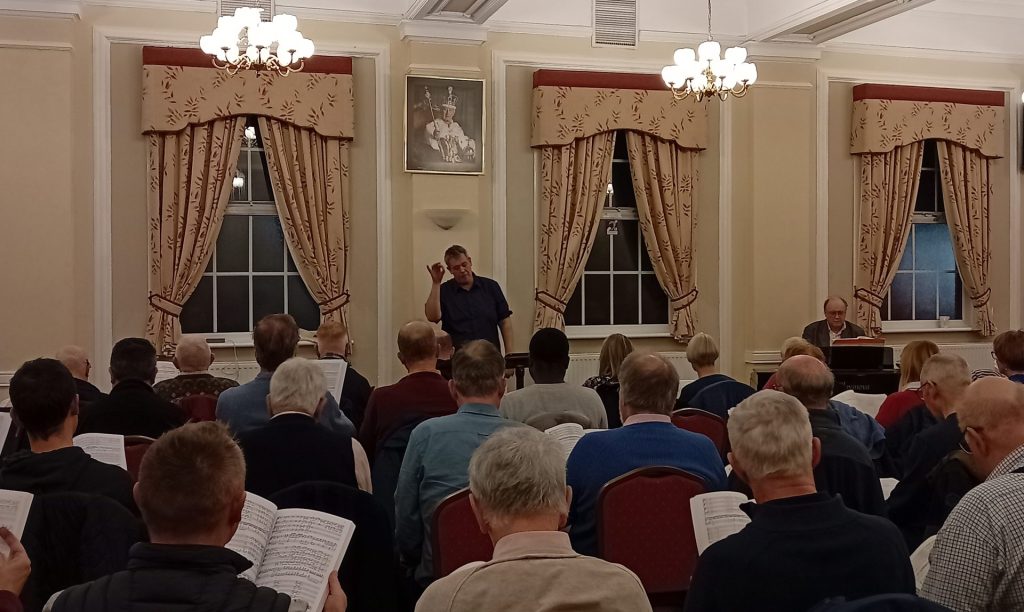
[(665, 179)]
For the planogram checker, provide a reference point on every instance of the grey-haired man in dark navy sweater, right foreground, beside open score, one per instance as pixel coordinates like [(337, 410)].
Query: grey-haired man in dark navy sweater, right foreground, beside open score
[(801, 546)]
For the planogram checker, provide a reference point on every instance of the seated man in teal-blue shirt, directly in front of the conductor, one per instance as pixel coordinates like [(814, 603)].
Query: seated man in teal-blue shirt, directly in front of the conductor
[(437, 463)]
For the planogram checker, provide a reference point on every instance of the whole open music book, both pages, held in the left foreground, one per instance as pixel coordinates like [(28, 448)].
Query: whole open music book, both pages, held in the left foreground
[(293, 551)]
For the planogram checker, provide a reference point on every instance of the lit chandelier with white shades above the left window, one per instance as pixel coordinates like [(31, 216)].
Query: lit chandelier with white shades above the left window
[(244, 41)]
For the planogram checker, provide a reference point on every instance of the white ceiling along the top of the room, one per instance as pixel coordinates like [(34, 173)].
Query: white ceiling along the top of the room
[(990, 27)]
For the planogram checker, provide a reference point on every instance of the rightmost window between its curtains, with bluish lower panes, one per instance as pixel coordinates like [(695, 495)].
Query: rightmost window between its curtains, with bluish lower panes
[(927, 285)]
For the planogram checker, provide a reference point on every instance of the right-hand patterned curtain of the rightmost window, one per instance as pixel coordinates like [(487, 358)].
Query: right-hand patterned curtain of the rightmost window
[(967, 190)]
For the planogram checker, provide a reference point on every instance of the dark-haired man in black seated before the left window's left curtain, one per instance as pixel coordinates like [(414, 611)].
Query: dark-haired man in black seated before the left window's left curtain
[(133, 409)]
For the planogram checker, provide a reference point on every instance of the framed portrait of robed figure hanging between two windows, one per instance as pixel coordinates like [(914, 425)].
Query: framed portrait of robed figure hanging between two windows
[(445, 123)]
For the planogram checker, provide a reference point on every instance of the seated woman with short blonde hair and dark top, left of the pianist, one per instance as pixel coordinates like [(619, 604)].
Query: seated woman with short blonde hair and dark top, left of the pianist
[(713, 392)]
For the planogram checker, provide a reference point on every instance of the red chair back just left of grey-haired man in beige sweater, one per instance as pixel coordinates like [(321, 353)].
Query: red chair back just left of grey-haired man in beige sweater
[(457, 539)]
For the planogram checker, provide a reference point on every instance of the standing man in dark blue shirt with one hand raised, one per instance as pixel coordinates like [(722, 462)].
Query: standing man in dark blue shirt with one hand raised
[(470, 308)]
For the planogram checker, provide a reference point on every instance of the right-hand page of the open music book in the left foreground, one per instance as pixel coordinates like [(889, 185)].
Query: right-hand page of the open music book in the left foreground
[(307, 546)]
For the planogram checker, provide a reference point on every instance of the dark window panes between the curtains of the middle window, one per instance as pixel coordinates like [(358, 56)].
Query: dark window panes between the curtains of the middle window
[(619, 286)]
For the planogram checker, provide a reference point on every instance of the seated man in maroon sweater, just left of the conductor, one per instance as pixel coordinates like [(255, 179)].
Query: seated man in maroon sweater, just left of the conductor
[(420, 396)]
